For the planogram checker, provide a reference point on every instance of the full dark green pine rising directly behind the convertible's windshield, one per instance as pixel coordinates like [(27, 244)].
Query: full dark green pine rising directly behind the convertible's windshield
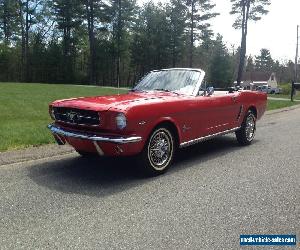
[(151, 48)]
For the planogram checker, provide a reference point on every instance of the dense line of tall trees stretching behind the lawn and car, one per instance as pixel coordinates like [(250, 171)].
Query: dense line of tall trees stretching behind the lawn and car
[(111, 41)]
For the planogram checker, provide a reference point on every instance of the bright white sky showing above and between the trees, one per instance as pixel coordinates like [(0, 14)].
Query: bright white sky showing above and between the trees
[(276, 31)]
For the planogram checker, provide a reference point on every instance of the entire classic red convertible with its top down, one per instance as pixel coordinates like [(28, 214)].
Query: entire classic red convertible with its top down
[(168, 109)]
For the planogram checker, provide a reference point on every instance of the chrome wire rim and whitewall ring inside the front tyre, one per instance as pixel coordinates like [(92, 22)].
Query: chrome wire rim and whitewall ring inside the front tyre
[(160, 149)]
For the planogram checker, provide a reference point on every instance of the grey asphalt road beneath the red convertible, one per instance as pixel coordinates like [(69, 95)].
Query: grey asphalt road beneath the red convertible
[(215, 192)]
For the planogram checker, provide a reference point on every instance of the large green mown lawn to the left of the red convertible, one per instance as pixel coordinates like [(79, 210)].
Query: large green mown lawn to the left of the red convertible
[(24, 111)]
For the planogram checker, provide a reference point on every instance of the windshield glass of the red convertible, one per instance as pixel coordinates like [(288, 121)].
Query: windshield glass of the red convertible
[(178, 81)]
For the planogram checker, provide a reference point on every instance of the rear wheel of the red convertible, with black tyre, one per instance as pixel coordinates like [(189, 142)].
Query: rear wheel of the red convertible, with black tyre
[(245, 135)]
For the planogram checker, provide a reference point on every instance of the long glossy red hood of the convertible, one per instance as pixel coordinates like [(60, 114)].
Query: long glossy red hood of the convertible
[(119, 102)]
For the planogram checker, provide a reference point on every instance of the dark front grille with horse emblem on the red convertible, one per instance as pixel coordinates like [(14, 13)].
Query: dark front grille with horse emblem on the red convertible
[(77, 116)]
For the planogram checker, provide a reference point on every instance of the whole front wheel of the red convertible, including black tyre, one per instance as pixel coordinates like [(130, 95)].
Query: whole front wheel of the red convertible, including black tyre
[(158, 152)]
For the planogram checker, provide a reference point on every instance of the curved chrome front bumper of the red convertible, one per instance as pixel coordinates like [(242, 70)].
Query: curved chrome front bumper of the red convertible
[(94, 138)]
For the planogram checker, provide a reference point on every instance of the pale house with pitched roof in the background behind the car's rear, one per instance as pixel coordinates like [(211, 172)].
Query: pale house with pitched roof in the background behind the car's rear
[(252, 80)]
